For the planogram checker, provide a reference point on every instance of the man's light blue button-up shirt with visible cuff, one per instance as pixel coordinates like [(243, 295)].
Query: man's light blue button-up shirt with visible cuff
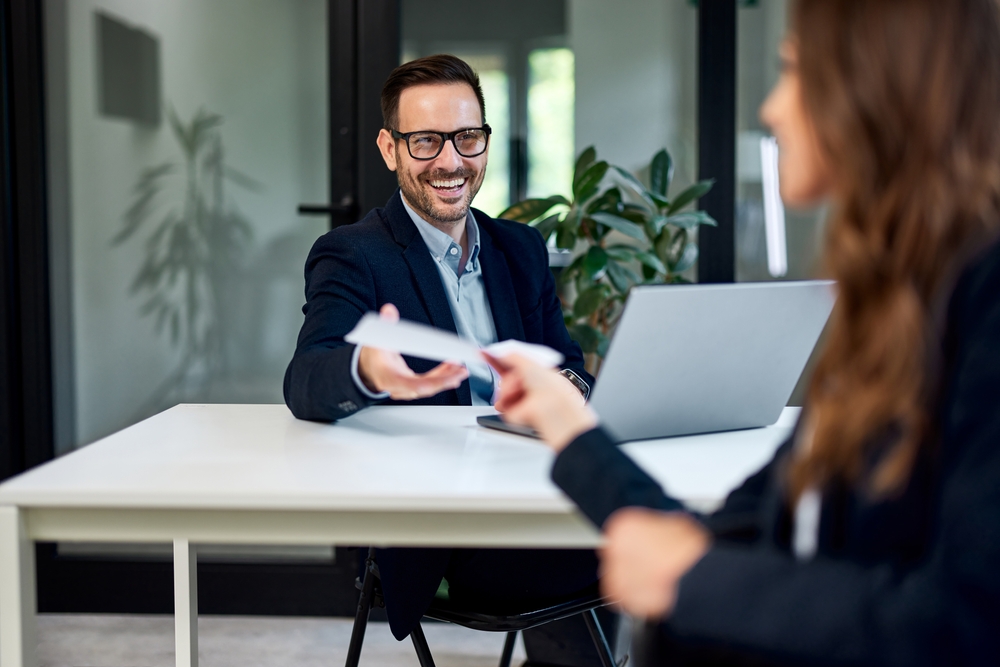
[(466, 293)]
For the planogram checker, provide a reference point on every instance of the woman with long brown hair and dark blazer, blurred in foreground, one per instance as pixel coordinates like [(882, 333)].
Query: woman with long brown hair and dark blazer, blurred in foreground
[(873, 537)]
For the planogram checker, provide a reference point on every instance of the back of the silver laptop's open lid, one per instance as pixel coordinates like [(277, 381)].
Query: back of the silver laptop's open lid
[(703, 358)]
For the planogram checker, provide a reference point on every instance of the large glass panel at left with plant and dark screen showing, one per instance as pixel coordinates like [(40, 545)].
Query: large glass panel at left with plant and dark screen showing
[(181, 137)]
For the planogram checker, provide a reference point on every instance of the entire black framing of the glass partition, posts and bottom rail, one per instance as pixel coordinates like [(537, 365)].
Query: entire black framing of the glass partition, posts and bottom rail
[(363, 48)]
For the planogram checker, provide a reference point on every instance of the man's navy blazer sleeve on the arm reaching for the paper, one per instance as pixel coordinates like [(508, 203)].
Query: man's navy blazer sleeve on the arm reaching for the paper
[(339, 290)]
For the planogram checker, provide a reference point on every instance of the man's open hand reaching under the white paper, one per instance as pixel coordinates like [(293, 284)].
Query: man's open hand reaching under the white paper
[(381, 370)]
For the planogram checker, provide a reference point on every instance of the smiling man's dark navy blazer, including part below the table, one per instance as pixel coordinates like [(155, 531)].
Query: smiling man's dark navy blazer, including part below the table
[(383, 259)]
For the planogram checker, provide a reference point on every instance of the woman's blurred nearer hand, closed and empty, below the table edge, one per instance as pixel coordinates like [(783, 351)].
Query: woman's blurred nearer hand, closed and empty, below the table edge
[(644, 556)]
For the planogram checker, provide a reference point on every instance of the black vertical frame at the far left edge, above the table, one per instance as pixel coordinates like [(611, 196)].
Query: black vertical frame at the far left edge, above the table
[(26, 424)]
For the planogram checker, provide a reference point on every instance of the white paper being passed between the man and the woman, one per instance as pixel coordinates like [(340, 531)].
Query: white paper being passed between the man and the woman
[(420, 340)]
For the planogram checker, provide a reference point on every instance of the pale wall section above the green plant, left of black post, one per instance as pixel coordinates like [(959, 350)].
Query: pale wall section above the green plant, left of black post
[(636, 68)]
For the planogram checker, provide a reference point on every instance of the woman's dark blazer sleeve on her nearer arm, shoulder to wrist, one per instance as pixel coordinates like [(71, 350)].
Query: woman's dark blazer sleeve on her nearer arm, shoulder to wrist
[(944, 609)]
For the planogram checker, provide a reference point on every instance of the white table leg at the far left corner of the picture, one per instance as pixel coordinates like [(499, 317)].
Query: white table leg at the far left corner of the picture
[(18, 641)]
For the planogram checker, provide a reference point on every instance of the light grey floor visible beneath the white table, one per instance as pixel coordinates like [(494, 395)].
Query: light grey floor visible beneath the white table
[(87, 640)]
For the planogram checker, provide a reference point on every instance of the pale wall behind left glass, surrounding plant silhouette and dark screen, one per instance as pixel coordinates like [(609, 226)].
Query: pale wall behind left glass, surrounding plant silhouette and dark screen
[(261, 65)]
